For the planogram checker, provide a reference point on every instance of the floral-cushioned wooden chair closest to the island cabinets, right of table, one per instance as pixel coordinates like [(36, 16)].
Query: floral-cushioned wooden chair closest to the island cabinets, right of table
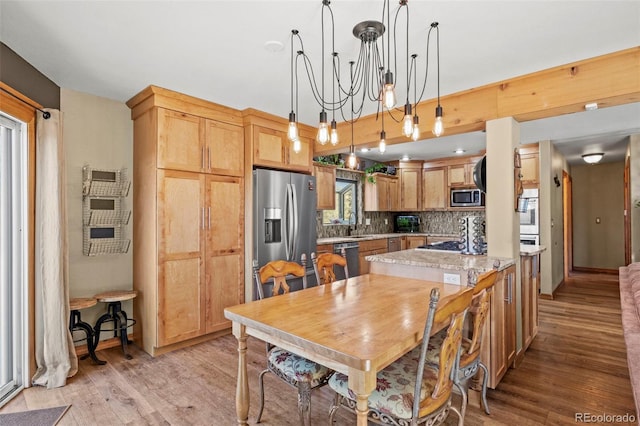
[(470, 351)]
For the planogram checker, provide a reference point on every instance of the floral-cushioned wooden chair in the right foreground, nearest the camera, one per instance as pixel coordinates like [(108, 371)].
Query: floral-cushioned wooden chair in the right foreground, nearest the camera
[(409, 391)]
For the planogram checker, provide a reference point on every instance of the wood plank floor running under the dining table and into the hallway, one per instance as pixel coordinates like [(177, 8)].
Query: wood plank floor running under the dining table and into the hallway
[(576, 364)]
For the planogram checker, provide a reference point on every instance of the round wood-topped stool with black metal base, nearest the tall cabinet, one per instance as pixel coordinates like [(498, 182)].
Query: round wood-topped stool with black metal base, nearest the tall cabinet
[(116, 315)]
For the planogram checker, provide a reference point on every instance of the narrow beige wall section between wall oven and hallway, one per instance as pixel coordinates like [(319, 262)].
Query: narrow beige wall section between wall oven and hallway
[(552, 163)]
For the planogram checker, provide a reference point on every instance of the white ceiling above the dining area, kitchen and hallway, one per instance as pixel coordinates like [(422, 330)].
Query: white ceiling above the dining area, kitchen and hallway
[(215, 50)]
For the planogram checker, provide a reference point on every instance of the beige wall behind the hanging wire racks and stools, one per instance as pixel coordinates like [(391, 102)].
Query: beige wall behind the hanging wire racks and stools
[(97, 132)]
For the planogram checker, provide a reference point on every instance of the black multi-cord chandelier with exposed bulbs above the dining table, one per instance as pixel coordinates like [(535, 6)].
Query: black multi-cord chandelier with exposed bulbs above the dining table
[(372, 79)]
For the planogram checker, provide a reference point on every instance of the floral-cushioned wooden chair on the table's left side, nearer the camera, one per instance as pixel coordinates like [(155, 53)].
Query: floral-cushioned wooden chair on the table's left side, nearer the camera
[(299, 372)]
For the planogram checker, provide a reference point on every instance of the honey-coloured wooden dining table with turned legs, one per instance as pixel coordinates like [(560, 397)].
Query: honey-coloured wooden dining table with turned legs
[(356, 326)]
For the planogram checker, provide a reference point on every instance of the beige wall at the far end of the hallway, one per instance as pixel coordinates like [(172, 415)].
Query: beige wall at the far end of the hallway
[(598, 192)]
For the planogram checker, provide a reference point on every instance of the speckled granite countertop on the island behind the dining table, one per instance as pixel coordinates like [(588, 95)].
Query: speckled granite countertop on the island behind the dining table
[(442, 260)]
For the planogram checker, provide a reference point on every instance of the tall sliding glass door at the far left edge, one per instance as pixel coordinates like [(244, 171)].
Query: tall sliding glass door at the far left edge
[(13, 256)]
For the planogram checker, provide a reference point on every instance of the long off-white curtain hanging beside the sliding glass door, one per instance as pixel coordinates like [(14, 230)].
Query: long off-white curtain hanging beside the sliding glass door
[(55, 353)]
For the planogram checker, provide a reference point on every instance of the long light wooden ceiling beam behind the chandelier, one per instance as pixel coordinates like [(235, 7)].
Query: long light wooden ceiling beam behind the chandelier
[(611, 79)]
